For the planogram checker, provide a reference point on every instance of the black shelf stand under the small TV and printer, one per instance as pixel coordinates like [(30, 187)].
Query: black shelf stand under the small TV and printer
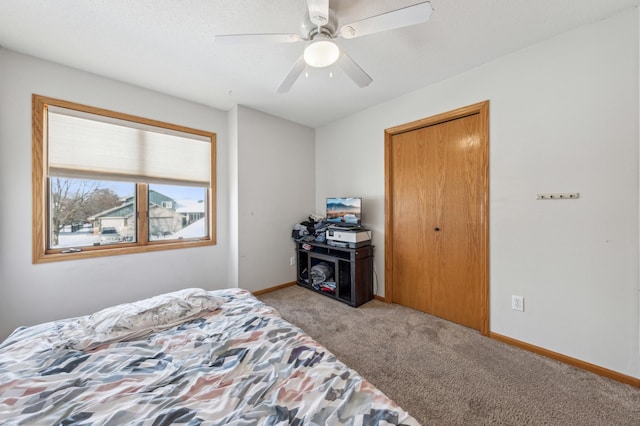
[(352, 271)]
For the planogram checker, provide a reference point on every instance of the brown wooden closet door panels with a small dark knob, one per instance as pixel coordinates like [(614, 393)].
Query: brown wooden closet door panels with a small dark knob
[(438, 222)]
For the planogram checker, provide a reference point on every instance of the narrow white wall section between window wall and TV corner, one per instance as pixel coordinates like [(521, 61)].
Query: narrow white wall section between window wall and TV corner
[(276, 189)]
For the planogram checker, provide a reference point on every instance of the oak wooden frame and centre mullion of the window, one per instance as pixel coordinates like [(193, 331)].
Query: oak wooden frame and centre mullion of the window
[(40, 251)]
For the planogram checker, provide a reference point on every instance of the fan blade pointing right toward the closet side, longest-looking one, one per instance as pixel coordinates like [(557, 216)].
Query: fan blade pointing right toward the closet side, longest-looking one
[(398, 18)]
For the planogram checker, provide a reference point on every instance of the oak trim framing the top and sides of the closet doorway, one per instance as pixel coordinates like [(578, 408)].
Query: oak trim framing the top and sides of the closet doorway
[(482, 109)]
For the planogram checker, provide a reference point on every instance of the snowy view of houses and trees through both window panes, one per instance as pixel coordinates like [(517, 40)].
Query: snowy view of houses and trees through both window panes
[(87, 212)]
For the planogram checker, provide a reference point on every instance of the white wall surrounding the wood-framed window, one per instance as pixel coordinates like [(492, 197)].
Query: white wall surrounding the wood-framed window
[(34, 293)]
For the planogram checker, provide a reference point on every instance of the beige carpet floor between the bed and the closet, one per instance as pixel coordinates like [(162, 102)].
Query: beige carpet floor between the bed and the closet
[(446, 374)]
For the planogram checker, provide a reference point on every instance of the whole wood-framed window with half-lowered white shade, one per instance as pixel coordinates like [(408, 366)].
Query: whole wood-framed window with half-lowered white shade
[(107, 183)]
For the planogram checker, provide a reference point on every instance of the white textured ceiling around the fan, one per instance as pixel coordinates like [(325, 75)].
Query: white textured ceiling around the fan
[(166, 45)]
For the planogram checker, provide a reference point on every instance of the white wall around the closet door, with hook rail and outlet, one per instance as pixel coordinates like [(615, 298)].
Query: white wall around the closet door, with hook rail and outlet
[(563, 118)]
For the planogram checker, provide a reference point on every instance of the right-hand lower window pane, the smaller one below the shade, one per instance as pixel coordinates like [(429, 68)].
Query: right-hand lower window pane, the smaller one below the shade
[(177, 212)]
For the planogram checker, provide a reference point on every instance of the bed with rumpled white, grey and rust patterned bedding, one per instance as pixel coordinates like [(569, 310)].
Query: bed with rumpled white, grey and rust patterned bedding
[(189, 357)]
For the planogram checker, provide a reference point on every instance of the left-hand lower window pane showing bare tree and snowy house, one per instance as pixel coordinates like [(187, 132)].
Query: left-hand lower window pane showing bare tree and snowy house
[(86, 212)]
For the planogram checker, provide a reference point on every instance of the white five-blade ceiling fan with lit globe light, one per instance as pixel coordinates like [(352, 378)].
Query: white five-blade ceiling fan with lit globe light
[(320, 28)]
